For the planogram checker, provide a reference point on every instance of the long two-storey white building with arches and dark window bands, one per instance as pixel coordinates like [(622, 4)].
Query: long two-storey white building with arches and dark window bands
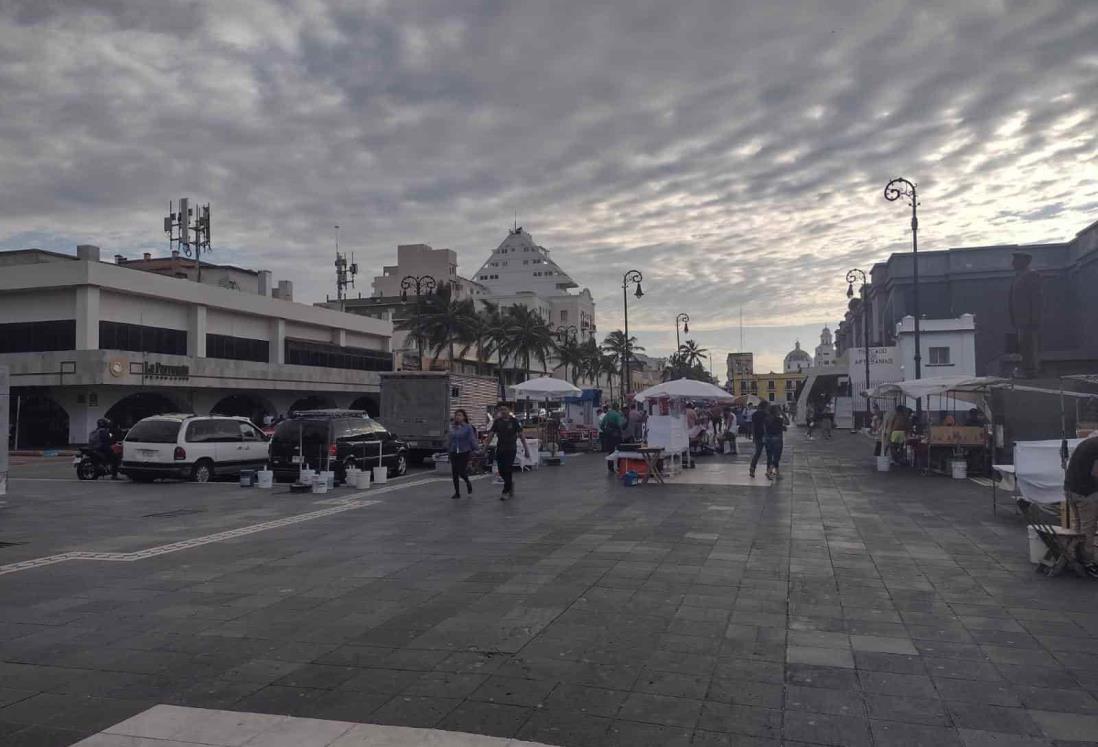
[(86, 340)]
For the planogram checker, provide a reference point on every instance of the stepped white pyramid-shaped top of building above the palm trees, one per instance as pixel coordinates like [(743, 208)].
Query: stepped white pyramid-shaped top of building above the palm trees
[(520, 265)]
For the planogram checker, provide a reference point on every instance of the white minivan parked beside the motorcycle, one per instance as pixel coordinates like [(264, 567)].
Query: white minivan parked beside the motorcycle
[(195, 448)]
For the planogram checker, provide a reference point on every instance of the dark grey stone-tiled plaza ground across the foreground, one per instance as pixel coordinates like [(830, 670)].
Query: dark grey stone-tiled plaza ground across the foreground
[(837, 607)]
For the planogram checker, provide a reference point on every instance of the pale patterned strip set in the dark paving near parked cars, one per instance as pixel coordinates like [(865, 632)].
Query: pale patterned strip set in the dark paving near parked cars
[(349, 504)]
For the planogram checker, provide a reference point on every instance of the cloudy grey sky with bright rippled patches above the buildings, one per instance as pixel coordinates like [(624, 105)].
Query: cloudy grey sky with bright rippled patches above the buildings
[(733, 152)]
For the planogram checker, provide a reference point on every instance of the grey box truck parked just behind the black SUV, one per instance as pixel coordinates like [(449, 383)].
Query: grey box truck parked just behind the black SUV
[(418, 406)]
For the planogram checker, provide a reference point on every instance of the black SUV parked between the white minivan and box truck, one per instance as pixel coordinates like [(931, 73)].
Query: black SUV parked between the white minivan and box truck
[(335, 440)]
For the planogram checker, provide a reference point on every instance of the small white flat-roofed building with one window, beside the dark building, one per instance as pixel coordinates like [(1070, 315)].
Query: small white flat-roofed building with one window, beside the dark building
[(948, 347)]
